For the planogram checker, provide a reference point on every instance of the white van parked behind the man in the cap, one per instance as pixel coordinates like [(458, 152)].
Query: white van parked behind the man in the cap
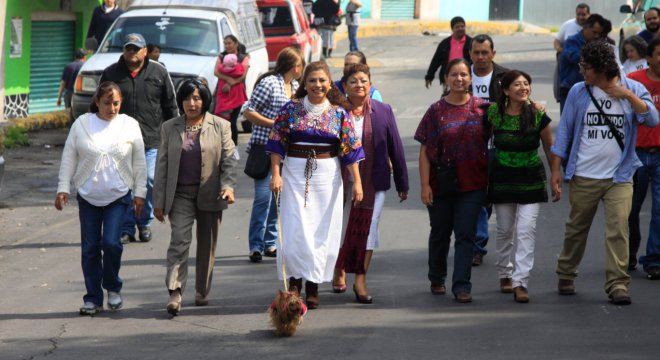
[(190, 34)]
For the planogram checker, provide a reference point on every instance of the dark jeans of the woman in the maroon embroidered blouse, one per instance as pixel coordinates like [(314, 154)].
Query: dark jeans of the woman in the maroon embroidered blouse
[(457, 213)]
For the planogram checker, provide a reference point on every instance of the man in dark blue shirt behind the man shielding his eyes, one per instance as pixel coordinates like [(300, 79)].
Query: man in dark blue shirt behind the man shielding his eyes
[(596, 27)]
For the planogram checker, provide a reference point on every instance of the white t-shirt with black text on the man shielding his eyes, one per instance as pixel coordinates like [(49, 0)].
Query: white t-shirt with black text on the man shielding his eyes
[(599, 153)]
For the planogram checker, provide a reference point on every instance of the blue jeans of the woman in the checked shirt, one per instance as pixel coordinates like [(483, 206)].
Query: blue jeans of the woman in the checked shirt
[(263, 221)]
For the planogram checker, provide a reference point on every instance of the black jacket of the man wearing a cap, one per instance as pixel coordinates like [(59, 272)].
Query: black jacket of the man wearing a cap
[(149, 98)]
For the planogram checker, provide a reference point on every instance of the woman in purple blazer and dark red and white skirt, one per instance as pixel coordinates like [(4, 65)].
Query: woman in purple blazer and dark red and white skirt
[(376, 127)]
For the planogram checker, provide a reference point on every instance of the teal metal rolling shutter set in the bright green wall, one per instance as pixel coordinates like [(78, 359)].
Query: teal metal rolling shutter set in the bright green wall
[(51, 49)]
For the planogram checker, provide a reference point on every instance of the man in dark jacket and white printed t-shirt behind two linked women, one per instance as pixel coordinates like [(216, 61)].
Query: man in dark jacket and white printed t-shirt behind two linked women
[(486, 79)]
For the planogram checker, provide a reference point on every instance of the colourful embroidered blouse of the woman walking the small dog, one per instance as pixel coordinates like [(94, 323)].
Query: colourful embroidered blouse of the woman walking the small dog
[(334, 126)]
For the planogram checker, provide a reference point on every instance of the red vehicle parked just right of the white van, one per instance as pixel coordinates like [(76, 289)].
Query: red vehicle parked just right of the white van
[(286, 23)]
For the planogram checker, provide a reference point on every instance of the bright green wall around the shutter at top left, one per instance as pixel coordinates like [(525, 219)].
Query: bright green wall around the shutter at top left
[(17, 70)]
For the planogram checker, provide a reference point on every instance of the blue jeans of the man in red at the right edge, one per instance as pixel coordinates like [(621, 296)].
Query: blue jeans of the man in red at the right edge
[(649, 173)]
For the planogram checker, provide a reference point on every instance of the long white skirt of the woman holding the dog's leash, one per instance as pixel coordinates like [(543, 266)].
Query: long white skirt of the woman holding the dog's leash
[(311, 235)]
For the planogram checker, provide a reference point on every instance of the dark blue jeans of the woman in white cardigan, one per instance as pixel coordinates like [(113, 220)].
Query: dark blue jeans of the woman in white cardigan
[(101, 248)]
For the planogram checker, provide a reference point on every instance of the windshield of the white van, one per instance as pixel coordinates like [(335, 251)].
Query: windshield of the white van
[(175, 35)]
